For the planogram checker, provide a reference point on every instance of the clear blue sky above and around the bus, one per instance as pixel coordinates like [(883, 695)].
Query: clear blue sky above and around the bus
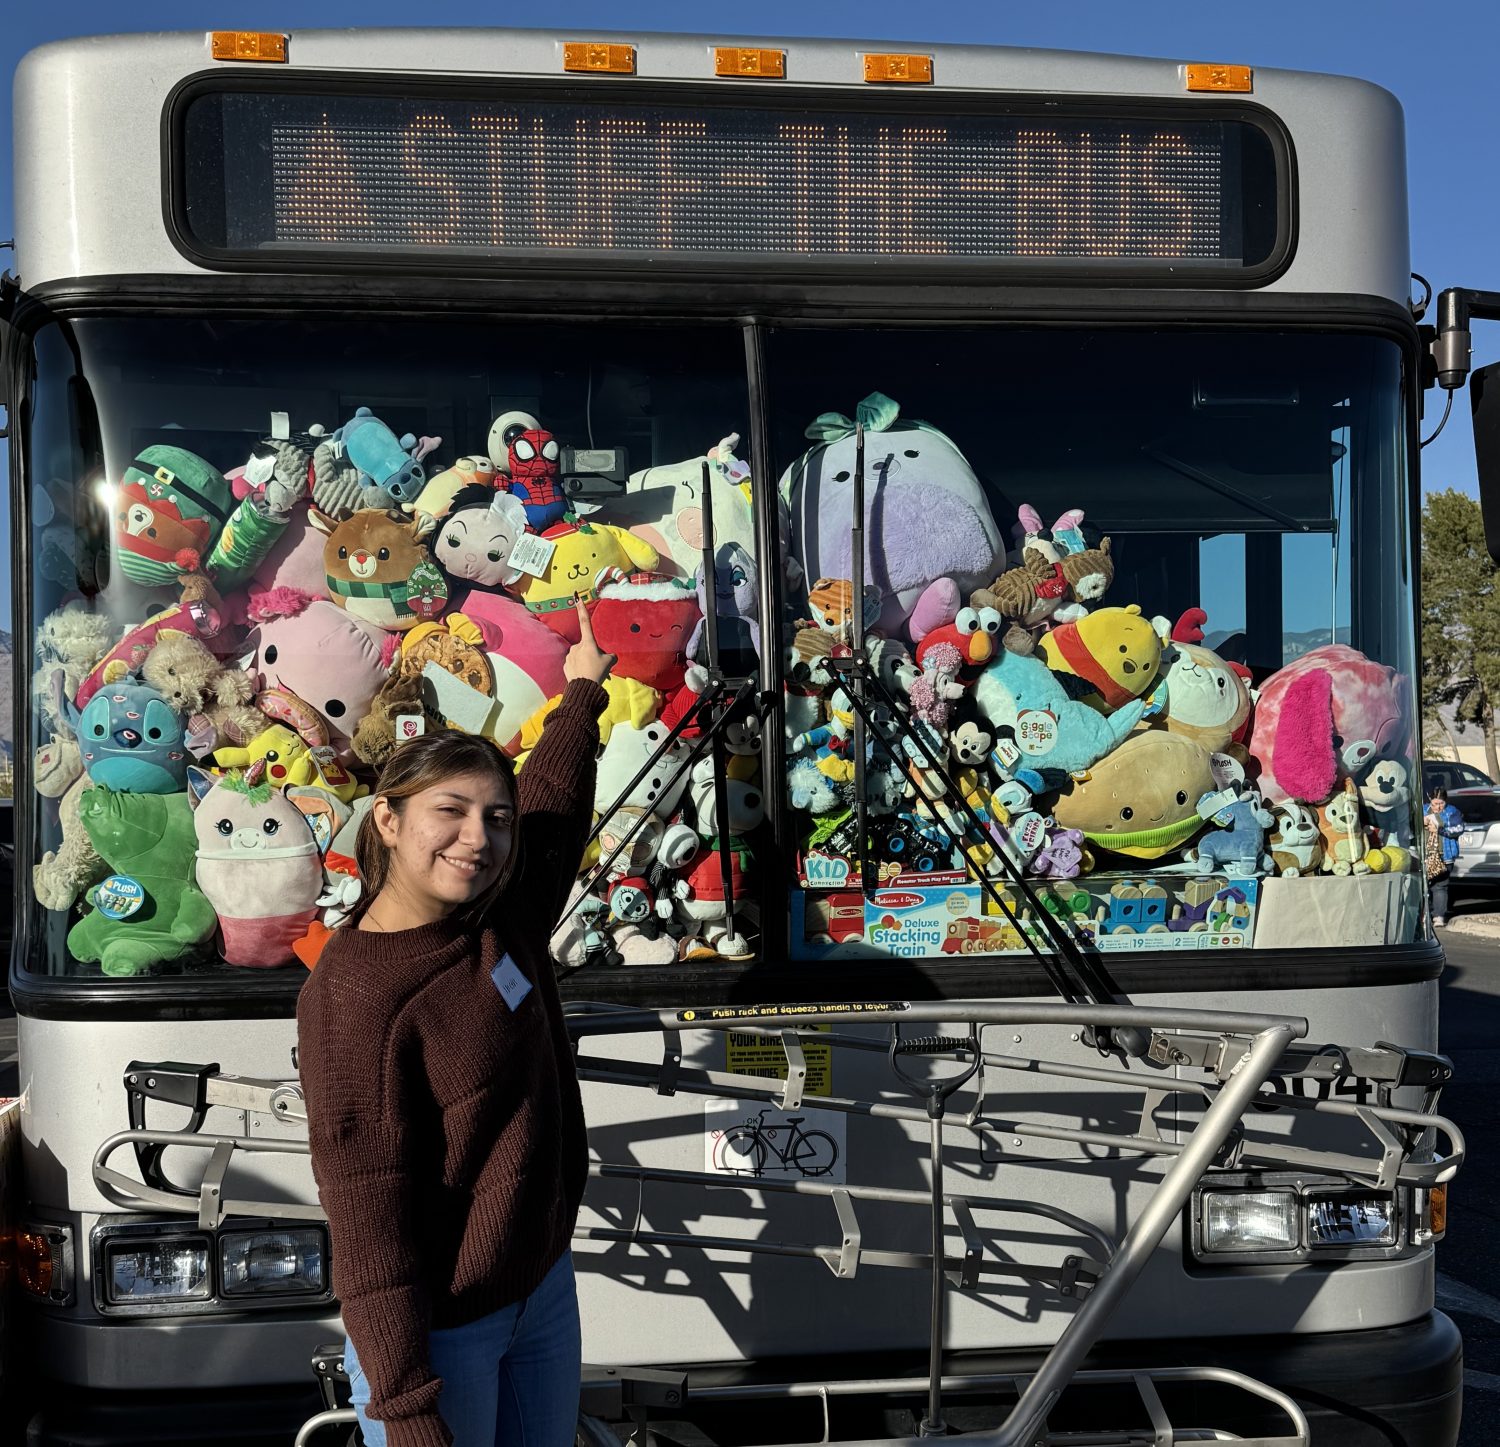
[(1439, 73)]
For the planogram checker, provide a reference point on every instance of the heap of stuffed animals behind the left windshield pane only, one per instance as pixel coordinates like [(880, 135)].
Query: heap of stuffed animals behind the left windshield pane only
[(209, 759)]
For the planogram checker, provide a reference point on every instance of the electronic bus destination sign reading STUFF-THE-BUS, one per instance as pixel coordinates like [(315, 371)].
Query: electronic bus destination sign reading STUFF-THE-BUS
[(347, 175)]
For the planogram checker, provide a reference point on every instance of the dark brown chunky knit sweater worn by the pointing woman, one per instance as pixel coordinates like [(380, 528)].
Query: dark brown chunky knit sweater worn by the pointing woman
[(446, 1130)]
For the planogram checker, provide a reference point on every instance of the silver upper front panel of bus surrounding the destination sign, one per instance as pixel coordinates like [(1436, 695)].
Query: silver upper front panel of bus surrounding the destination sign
[(89, 130)]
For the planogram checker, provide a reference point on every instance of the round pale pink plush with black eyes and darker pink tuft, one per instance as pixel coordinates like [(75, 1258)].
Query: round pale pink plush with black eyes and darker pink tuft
[(320, 655)]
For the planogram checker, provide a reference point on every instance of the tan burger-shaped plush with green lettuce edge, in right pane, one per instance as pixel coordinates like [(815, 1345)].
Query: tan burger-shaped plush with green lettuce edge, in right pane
[(1142, 800)]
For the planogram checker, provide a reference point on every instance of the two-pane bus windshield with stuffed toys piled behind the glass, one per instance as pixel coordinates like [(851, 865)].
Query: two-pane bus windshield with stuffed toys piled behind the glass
[(1147, 592)]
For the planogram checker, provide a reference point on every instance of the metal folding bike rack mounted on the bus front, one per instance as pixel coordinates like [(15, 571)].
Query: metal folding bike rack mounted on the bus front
[(1235, 1056)]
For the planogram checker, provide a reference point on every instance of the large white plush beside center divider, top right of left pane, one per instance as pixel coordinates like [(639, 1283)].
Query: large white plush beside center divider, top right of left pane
[(665, 509)]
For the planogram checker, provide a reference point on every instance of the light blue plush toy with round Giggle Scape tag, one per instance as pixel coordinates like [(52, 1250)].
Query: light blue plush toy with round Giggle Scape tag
[(1022, 698)]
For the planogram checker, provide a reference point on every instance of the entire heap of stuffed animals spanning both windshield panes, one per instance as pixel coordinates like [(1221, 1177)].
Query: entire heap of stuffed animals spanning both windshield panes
[(299, 617)]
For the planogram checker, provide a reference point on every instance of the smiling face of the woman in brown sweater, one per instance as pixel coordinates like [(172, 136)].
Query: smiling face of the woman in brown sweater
[(448, 843)]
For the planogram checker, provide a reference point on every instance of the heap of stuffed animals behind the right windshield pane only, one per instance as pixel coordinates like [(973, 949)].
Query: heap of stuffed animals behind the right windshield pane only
[(1016, 721)]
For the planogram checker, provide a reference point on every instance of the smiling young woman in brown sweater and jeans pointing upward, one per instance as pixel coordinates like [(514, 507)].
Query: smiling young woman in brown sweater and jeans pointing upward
[(443, 1112)]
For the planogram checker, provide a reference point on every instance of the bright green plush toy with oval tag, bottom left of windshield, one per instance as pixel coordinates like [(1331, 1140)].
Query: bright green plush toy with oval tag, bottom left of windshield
[(148, 912)]
